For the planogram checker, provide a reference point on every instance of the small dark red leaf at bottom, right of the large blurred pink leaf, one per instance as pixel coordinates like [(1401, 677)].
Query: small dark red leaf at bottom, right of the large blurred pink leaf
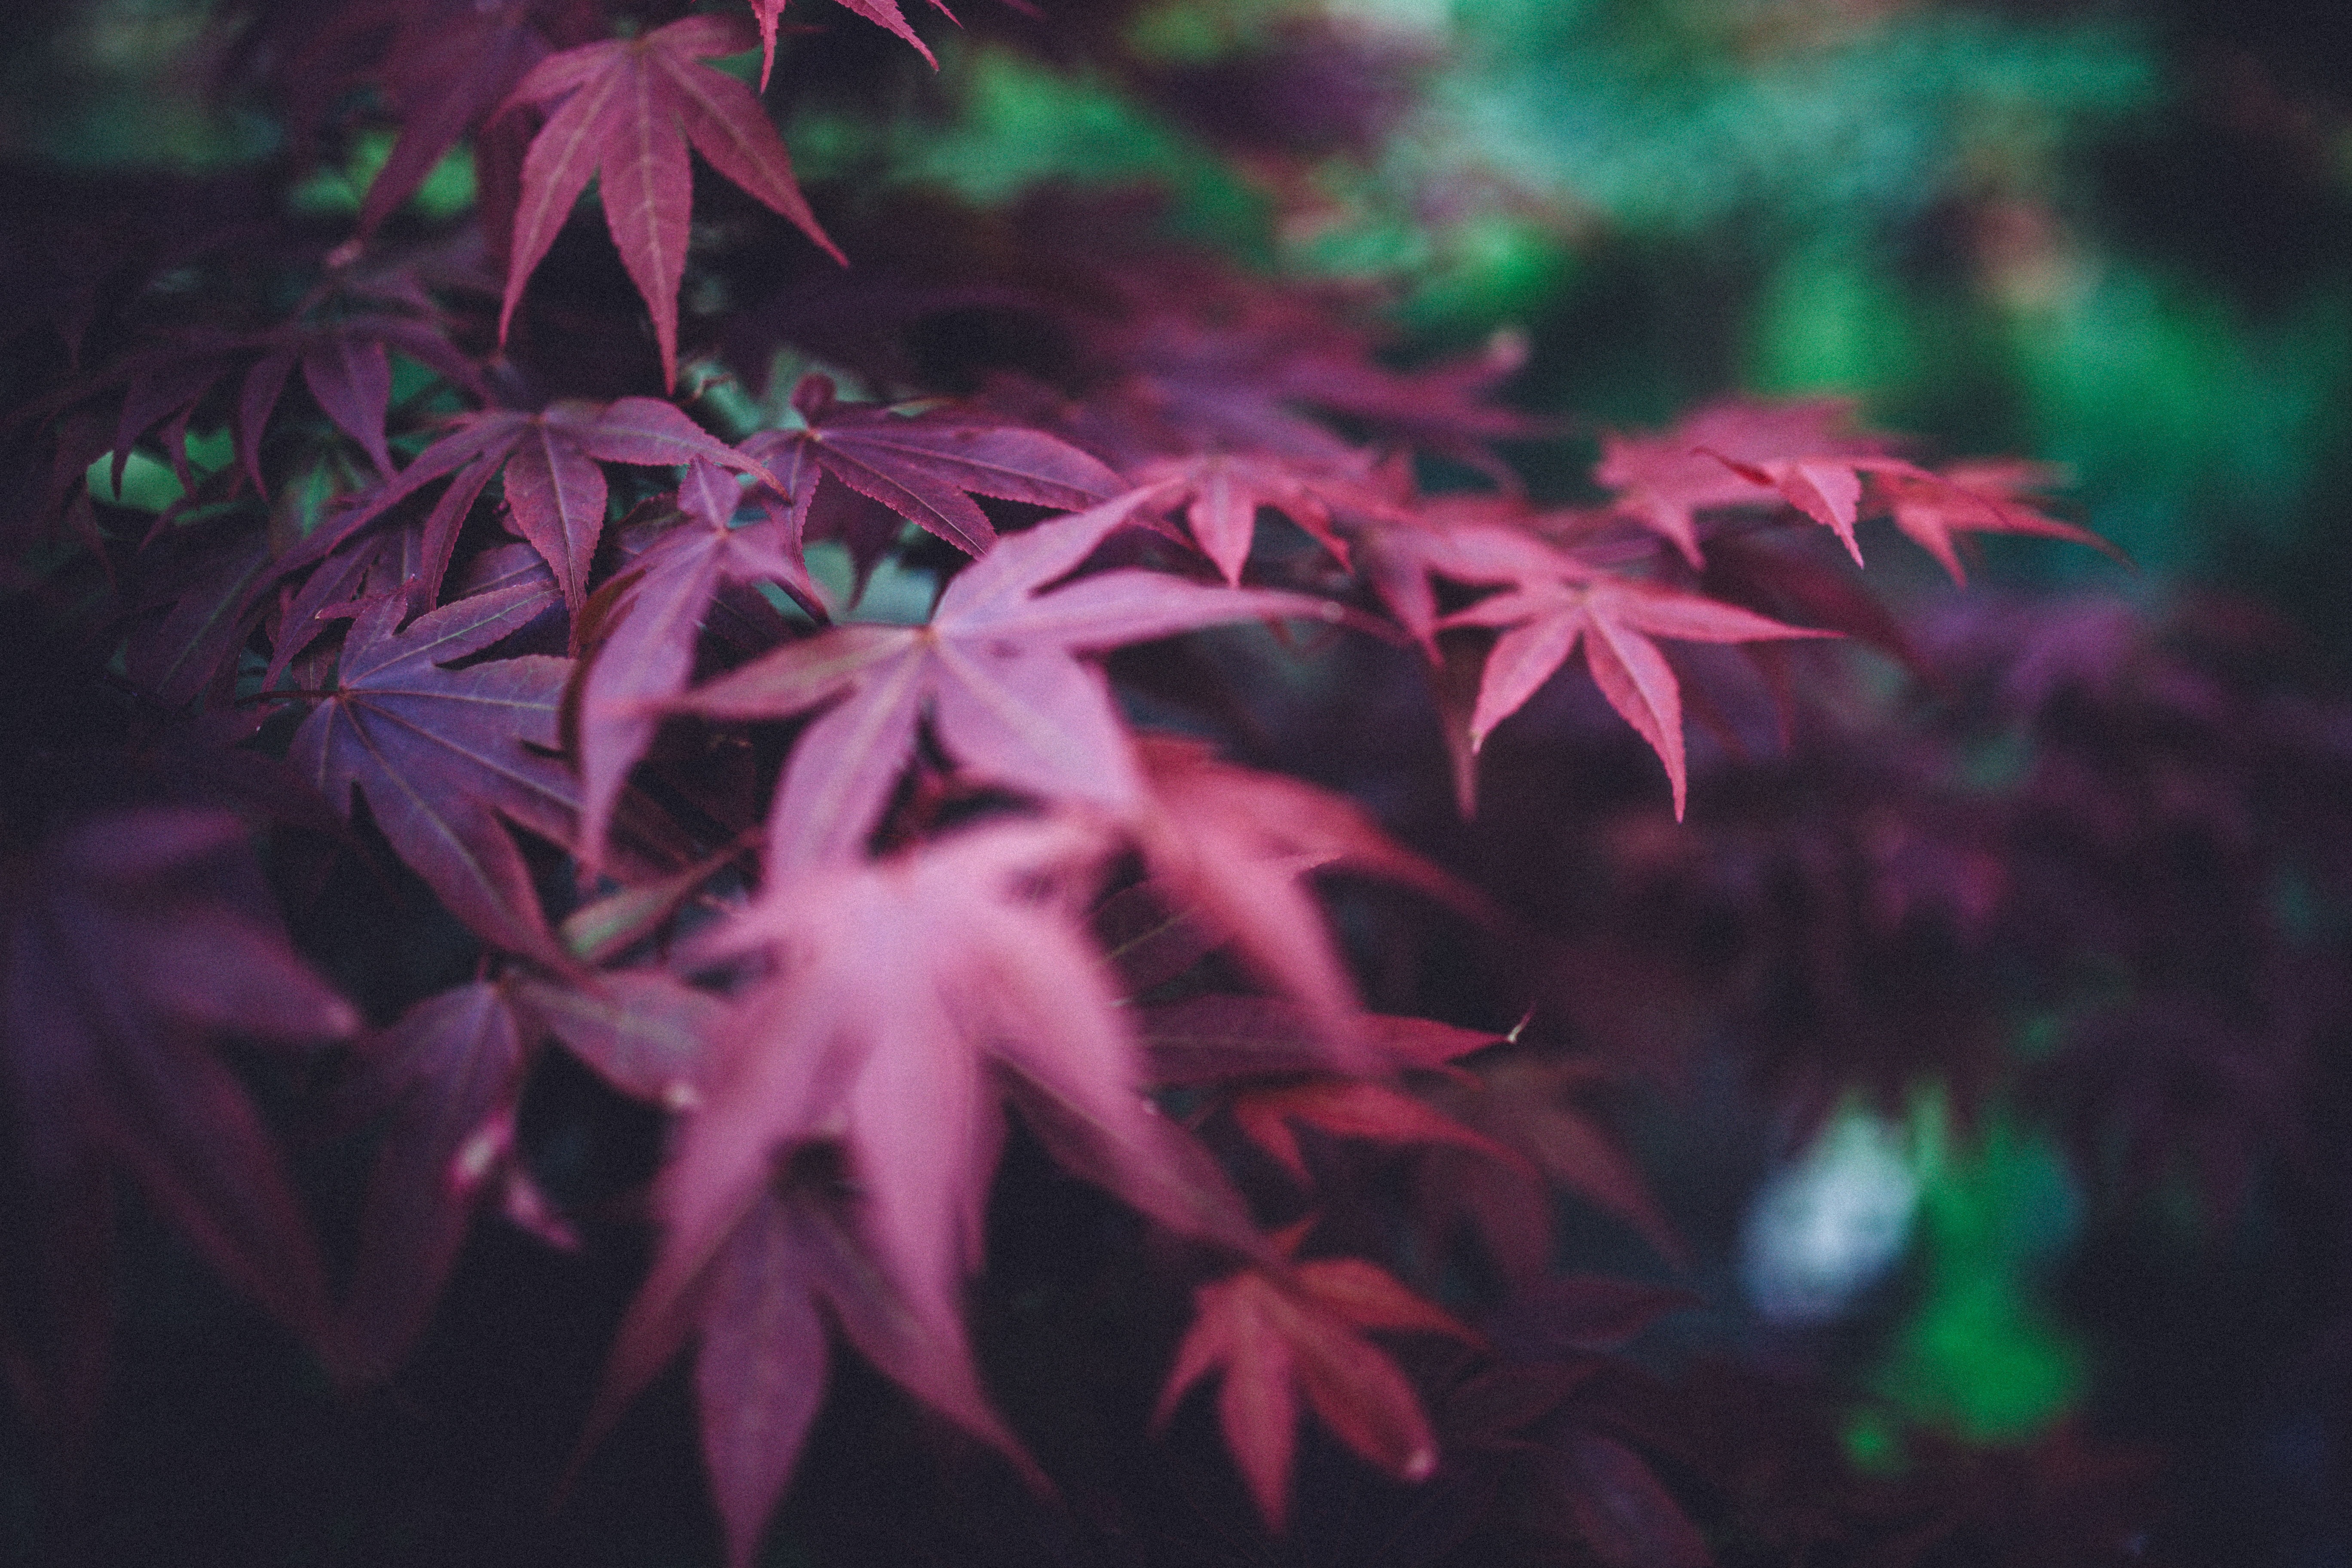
[(1281, 1334)]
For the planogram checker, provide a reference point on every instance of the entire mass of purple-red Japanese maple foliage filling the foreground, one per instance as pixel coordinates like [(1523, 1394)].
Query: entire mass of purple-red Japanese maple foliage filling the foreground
[(902, 782)]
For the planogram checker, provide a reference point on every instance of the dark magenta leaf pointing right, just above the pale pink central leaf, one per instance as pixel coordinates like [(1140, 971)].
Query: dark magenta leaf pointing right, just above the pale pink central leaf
[(926, 467)]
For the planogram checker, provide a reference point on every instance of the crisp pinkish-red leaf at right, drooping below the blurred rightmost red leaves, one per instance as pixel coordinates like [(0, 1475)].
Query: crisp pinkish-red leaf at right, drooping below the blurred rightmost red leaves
[(1615, 619)]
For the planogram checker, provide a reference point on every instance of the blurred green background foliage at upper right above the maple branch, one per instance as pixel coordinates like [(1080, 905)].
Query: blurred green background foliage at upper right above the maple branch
[(2104, 236)]
